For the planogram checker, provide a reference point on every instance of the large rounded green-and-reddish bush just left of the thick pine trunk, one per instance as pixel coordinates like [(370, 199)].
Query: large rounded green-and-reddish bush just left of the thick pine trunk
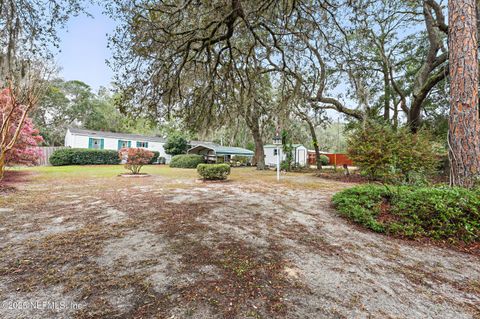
[(394, 156)]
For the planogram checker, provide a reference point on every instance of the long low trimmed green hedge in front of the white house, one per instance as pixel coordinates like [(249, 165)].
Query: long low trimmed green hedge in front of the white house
[(80, 156)]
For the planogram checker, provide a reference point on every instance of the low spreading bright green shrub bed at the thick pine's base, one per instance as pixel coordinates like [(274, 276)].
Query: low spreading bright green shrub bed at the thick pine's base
[(440, 213)]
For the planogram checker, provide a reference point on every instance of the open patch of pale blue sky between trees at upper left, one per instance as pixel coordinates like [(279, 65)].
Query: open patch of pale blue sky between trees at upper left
[(84, 49)]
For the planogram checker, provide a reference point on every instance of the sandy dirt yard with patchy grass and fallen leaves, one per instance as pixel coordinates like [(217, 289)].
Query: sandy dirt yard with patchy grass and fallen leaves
[(90, 244)]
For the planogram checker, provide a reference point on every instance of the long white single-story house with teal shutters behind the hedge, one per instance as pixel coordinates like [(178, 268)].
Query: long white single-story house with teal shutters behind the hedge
[(79, 138)]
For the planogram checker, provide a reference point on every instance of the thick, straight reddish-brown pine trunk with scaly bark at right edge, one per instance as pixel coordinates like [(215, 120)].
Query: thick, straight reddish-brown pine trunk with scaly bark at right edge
[(464, 124)]
